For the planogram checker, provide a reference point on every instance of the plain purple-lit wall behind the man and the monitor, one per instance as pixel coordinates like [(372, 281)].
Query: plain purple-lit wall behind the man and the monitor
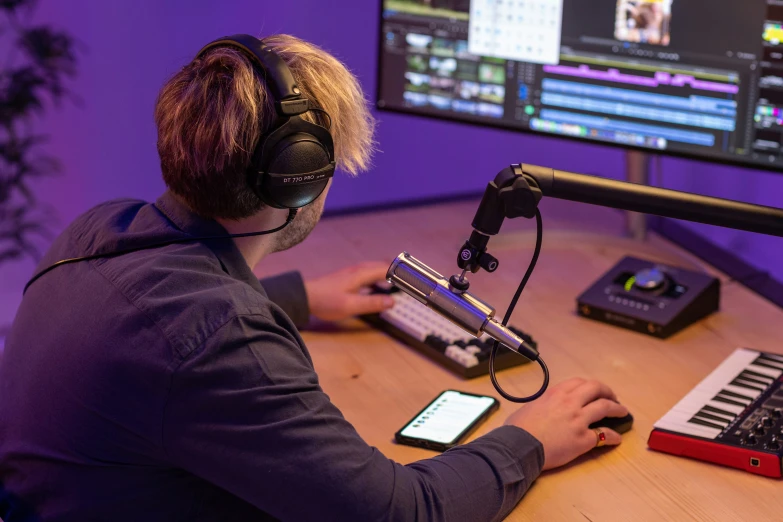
[(108, 144)]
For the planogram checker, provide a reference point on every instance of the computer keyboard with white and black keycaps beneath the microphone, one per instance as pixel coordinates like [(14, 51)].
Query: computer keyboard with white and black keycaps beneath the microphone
[(439, 339)]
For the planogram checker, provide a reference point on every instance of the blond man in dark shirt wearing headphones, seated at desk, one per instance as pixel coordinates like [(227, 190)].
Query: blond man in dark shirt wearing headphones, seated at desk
[(150, 376)]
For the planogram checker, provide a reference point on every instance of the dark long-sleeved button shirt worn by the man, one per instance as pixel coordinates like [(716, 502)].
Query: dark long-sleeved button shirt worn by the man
[(168, 384)]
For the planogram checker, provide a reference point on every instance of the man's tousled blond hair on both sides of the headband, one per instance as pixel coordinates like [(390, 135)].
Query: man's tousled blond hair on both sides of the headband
[(212, 113)]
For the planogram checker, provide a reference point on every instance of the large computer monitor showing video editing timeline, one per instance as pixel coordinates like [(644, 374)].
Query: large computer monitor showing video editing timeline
[(698, 78)]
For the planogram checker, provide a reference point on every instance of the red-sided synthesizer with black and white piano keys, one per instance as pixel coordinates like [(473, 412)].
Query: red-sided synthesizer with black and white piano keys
[(733, 417)]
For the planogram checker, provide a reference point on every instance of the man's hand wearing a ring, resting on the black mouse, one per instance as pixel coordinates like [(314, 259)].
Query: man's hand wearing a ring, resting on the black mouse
[(560, 419)]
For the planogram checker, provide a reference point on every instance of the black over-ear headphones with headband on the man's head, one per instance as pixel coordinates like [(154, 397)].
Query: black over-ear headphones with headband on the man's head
[(293, 161)]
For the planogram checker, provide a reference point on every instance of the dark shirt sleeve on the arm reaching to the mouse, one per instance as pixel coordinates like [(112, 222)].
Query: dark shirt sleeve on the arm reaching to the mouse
[(247, 414)]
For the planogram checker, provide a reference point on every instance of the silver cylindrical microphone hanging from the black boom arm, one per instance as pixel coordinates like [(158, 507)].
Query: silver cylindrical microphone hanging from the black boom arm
[(461, 308)]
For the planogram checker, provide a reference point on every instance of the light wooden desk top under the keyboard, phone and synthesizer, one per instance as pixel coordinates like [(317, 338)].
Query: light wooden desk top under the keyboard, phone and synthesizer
[(380, 384)]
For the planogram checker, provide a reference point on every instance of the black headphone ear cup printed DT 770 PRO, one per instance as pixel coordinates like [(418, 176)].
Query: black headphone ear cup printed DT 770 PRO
[(288, 160)]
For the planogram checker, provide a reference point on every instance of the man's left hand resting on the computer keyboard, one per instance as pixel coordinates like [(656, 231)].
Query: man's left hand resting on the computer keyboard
[(337, 296)]
